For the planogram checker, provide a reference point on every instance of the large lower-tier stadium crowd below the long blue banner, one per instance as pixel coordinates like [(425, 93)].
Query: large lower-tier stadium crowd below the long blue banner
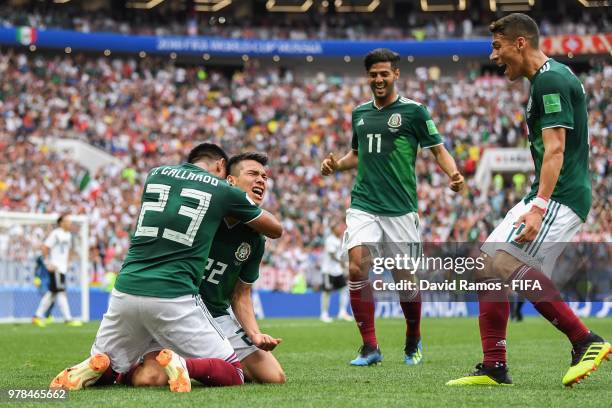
[(146, 112)]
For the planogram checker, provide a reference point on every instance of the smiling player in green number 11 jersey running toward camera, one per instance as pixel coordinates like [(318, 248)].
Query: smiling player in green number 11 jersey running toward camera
[(387, 133)]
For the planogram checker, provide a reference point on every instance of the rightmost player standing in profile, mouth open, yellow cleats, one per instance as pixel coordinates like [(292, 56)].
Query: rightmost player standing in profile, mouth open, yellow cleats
[(524, 246)]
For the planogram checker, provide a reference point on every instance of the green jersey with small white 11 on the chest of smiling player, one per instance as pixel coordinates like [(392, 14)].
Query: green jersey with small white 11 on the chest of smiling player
[(387, 141)]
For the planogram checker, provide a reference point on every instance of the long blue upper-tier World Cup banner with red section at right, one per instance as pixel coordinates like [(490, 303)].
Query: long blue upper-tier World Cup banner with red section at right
[(78, 41)]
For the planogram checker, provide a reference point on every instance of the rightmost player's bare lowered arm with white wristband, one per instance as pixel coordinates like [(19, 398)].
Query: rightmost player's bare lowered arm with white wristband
[(552, 162)]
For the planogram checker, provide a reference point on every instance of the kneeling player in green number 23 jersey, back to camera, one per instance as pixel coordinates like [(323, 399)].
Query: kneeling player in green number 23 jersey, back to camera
[(155, 299)]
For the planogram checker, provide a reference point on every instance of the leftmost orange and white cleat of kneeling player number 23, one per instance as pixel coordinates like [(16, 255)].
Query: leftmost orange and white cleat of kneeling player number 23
[(81, 375)]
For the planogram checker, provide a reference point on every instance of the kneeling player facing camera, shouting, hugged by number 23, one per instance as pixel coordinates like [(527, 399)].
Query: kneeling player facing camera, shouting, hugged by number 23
[(231, 270)]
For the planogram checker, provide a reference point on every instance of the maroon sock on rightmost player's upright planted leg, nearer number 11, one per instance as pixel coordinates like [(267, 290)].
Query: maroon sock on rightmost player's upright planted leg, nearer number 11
[(493, 321)]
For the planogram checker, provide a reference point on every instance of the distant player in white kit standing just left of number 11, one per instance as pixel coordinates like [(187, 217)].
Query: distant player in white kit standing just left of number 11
[(333, 274)]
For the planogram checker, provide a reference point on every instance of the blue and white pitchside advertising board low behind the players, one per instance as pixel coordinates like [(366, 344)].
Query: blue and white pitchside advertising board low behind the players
[(21, 302)]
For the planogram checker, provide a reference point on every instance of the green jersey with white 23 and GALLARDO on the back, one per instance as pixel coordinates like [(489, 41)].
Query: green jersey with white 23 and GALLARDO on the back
[(182, 207)]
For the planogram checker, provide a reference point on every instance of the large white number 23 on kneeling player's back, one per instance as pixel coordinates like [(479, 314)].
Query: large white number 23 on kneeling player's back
[(196, 214)]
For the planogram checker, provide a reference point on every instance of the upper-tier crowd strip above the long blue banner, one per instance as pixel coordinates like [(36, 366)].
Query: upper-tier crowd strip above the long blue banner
[(294, 26)]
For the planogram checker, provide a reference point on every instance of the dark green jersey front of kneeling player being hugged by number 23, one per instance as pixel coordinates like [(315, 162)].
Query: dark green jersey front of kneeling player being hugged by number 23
[(235, 254)]
